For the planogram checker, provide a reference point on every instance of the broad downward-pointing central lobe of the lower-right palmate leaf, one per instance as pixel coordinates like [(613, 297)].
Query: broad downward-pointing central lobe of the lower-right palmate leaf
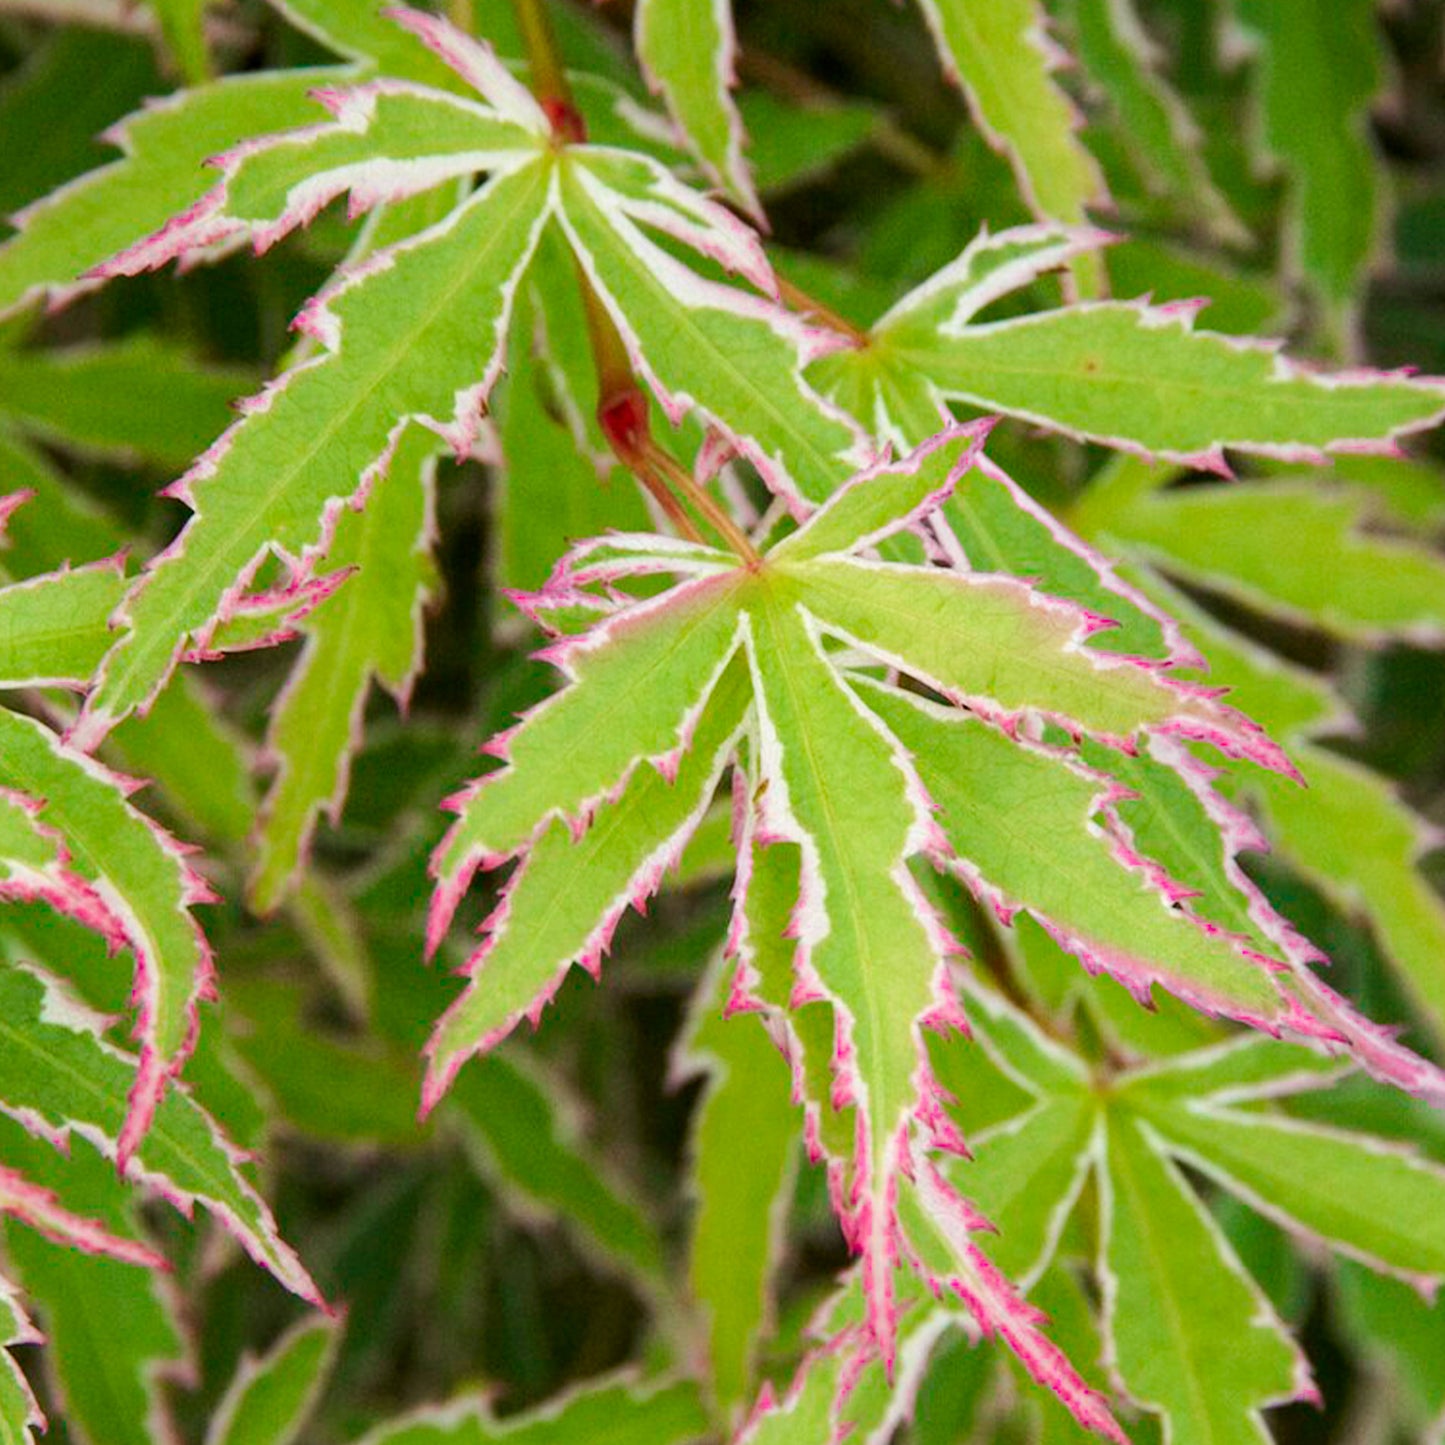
[(1191, 1334)]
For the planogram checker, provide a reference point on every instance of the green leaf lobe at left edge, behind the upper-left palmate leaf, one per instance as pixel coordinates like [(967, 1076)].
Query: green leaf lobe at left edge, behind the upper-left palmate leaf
[(73, 230)]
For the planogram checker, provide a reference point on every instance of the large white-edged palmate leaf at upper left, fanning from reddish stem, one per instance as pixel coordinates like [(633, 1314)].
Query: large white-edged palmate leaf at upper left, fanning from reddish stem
[(418, 332)]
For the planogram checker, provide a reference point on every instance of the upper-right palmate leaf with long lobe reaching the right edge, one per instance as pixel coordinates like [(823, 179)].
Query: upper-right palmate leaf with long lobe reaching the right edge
[(1126, 375)]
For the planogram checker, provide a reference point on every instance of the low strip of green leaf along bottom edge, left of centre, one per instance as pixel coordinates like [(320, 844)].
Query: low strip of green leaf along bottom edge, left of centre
[(599, 1414)]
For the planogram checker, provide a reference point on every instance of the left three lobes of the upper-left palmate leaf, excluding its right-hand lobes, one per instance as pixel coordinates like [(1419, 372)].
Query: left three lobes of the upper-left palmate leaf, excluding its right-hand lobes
[(415, 333)]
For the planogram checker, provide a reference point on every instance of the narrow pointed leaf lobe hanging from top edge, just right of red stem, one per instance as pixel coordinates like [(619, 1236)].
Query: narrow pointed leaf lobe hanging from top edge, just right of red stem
[(687, 51)]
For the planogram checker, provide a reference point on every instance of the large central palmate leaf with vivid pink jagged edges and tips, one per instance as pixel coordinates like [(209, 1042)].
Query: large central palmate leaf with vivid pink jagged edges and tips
[(788, 670)]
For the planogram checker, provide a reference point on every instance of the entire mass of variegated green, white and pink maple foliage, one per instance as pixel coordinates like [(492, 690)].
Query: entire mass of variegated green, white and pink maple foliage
[(949, 772)]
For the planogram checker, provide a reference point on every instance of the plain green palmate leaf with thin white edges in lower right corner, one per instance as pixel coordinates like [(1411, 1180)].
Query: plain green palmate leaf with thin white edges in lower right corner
[(1190, 1333)]
